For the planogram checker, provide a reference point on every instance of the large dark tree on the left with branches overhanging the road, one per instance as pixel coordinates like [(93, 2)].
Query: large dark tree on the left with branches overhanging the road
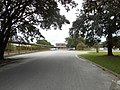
[(22, 16)]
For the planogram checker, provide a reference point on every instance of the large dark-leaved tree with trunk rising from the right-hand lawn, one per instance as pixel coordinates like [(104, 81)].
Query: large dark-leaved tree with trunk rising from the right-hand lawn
[(101, 19)]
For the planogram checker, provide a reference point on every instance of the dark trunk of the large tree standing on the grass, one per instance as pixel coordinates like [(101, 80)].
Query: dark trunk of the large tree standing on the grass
[(110, 43)]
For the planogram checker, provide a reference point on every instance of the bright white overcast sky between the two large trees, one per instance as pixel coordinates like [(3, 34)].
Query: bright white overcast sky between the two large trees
[(58, 36)]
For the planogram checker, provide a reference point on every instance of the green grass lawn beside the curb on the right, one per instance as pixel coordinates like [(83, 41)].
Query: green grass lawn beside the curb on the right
[(109, 62)]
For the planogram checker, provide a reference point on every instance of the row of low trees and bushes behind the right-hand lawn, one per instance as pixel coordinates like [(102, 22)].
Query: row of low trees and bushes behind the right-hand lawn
[(81, 43)]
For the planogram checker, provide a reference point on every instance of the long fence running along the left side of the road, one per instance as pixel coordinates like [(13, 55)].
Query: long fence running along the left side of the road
[(18, 48)]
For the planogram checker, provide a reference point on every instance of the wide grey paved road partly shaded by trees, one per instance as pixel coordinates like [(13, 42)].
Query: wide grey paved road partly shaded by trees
[(53, 70)]
